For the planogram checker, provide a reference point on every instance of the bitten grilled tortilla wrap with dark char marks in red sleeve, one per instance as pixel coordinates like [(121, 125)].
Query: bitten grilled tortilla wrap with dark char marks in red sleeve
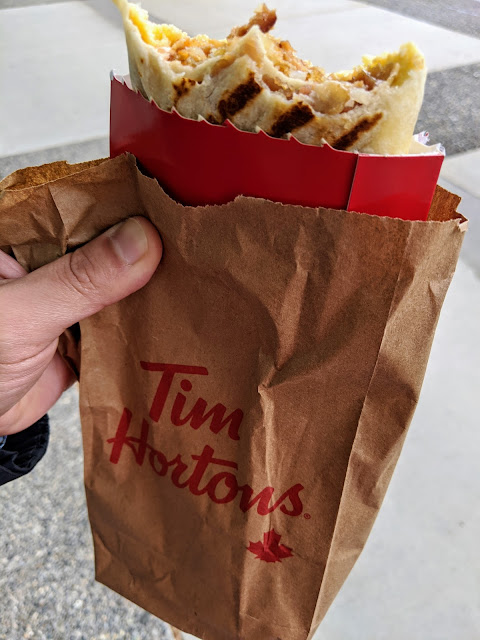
[(258, 82)]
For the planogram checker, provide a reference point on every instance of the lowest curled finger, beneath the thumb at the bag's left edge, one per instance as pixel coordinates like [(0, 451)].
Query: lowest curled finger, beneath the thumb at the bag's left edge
[(40, 398)]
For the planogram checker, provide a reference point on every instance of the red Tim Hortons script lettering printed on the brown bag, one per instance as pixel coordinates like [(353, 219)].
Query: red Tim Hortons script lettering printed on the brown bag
[(200, 473)]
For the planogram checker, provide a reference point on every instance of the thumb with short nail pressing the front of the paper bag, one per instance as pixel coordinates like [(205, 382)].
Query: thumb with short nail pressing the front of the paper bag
[(46, 301)]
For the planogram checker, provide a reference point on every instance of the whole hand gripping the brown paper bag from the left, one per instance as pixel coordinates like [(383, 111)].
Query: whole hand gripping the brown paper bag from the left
[(35, 308)]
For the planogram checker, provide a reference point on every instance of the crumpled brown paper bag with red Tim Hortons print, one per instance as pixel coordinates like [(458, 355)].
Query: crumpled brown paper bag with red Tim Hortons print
[(243, 413)]
